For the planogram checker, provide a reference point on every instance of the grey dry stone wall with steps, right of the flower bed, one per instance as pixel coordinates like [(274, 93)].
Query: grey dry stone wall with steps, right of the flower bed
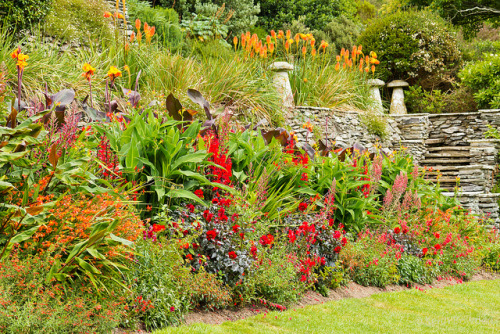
[(454, 144)]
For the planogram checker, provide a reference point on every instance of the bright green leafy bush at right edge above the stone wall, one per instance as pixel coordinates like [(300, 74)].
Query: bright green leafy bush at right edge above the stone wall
[(483, 79)]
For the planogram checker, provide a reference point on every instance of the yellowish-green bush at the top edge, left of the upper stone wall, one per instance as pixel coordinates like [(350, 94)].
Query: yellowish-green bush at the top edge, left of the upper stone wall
[(77, 20)]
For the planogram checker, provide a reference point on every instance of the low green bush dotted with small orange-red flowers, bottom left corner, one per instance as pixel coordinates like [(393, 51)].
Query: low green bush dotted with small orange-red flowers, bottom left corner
[(31, 305)]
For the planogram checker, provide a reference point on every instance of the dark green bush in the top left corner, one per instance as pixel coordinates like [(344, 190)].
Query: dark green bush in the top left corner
[(22, 14)]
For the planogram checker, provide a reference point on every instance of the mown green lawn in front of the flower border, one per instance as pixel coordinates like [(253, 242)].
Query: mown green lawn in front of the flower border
[(466, 308)]
